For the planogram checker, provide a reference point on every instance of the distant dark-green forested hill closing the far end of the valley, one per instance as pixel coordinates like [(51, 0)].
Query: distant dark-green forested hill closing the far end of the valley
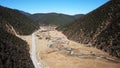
[(53, 18)]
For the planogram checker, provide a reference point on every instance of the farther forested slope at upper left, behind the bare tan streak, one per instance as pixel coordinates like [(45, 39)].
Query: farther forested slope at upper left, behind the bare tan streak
[(21, 23)]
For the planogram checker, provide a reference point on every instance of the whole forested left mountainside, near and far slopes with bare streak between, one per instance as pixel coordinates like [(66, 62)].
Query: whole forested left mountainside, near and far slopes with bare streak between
[(14, 52)]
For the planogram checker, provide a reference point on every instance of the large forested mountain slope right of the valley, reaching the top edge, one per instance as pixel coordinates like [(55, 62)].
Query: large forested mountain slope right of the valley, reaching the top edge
[(99, 28)]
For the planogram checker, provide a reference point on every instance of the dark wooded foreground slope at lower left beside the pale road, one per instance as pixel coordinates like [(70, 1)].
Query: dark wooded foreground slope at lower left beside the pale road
[(14, 52)]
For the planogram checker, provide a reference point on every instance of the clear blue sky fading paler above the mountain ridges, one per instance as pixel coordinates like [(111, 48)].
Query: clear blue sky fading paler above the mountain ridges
[(59, 6)]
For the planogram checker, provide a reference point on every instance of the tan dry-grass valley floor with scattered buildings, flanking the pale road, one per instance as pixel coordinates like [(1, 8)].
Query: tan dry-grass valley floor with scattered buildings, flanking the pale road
[(54, 50)]
